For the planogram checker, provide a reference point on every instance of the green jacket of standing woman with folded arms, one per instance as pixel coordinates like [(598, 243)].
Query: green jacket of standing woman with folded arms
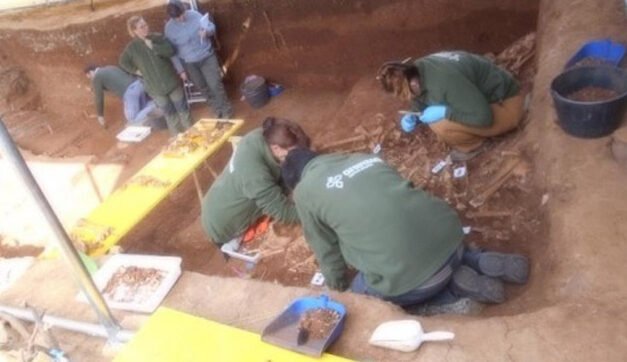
[(154, 65)]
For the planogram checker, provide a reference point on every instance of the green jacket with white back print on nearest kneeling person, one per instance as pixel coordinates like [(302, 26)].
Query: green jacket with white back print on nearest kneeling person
[(356, 210)]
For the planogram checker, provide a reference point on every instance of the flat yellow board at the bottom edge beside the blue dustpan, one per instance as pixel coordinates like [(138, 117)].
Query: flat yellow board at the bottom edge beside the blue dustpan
[(170, 335)]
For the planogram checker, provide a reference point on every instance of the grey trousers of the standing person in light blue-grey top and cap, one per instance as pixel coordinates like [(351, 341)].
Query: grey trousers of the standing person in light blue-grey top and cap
[(205, 75)]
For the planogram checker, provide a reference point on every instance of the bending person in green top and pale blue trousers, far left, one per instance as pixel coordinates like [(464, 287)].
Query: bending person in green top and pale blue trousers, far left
[(139, 109)]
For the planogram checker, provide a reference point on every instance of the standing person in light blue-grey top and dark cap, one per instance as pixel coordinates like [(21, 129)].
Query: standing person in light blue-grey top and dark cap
[(190, 33)]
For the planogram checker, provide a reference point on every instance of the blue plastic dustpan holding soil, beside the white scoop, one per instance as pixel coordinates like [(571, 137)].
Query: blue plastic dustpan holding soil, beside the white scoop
[(283, 330)]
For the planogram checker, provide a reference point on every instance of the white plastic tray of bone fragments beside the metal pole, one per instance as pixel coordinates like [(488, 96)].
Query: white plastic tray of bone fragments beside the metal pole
[(169, 265)]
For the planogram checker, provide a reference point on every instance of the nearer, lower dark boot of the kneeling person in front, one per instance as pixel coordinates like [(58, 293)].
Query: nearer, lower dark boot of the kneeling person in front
[(468, 283)]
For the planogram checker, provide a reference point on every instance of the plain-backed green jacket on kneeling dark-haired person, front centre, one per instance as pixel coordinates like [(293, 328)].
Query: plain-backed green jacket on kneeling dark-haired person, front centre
[(247, 189)]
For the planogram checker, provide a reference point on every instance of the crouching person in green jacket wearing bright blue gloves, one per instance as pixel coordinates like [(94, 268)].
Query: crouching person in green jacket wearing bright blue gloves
[(463, 97)]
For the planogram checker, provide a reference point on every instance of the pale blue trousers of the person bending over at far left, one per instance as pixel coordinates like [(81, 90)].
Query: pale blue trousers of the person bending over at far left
[(139, 109)]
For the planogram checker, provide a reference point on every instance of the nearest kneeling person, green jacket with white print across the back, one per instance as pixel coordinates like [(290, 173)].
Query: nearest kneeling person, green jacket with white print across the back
[(405, 244)]
